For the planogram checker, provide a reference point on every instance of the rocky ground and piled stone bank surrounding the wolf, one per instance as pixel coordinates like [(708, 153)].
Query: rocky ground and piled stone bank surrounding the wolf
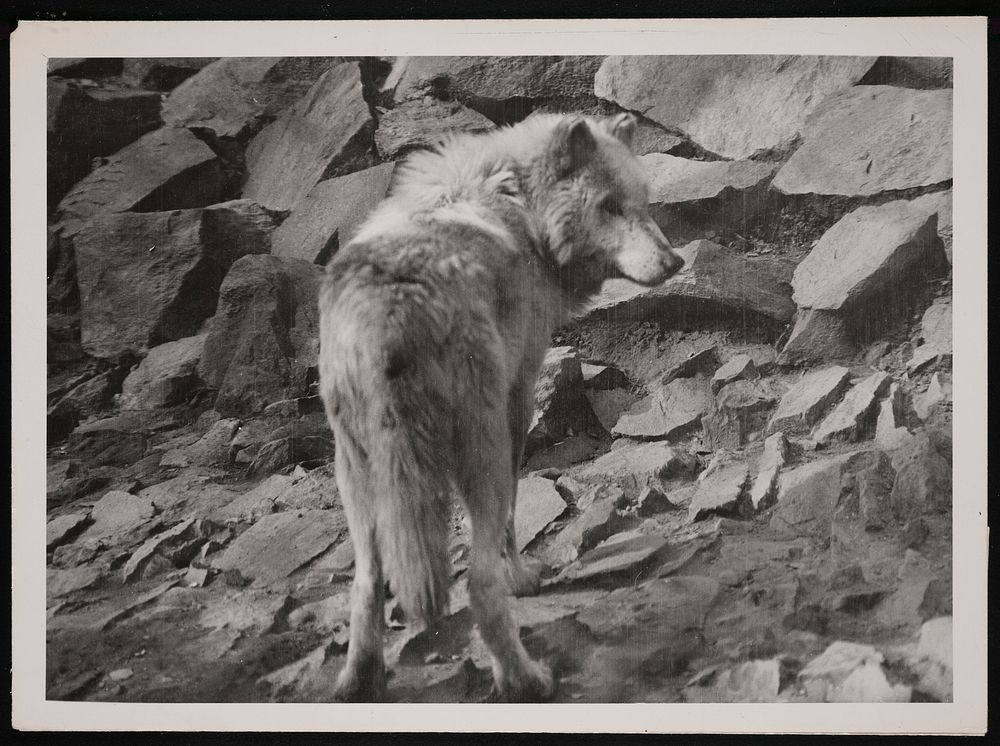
[(738, 483)]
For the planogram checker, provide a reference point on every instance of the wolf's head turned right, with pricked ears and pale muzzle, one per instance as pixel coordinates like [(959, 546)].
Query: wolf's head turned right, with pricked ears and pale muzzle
[(593, 196)]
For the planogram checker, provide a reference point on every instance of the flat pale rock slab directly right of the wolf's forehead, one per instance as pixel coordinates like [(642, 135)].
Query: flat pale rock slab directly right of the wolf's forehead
[(680, 180)]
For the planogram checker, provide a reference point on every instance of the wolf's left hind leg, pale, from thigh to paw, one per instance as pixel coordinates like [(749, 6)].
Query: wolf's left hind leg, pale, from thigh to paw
[(363, 676)]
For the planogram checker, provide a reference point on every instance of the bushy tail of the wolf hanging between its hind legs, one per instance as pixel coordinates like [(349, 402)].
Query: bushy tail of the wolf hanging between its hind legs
[(411, 510)]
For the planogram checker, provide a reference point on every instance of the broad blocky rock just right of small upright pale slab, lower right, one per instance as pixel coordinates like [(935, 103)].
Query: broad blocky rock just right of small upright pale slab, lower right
[(808, 495)]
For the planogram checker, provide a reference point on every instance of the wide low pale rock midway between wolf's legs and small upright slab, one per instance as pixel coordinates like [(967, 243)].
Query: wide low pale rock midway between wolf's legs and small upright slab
[(635, 465)]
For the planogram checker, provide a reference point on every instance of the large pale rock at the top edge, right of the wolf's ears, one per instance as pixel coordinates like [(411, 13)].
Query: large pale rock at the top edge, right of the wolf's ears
[(731, 105)]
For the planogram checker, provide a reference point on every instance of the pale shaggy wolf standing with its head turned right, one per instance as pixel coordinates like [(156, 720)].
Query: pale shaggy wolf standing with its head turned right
[(434, 321)]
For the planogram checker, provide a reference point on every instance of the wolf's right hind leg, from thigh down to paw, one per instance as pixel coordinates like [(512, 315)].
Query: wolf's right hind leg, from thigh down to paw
[(487, 493)]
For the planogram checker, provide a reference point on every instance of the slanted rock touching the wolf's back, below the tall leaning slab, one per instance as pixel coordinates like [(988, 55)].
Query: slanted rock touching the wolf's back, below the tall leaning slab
[(327, 217)]
